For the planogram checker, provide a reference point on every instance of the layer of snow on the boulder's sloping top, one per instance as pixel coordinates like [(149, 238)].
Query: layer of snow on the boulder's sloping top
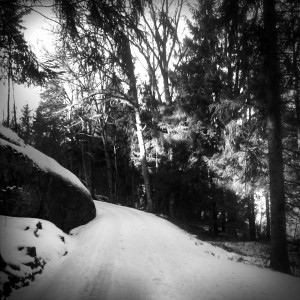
[(43, 161)]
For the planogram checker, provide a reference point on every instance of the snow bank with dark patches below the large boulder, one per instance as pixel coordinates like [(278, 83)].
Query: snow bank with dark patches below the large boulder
[(27, 244)]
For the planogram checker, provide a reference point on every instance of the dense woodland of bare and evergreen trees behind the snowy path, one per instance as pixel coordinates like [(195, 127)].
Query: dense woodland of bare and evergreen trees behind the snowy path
[(210, 129)]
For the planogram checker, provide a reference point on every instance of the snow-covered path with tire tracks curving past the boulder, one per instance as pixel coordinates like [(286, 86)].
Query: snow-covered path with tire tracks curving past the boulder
[(127, 254)]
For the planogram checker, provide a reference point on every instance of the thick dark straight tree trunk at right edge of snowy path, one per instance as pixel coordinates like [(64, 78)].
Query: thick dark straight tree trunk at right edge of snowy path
[(279, 255)]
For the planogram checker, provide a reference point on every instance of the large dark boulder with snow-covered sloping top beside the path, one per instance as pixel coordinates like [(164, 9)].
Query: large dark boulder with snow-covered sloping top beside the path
[(34, 185)]
